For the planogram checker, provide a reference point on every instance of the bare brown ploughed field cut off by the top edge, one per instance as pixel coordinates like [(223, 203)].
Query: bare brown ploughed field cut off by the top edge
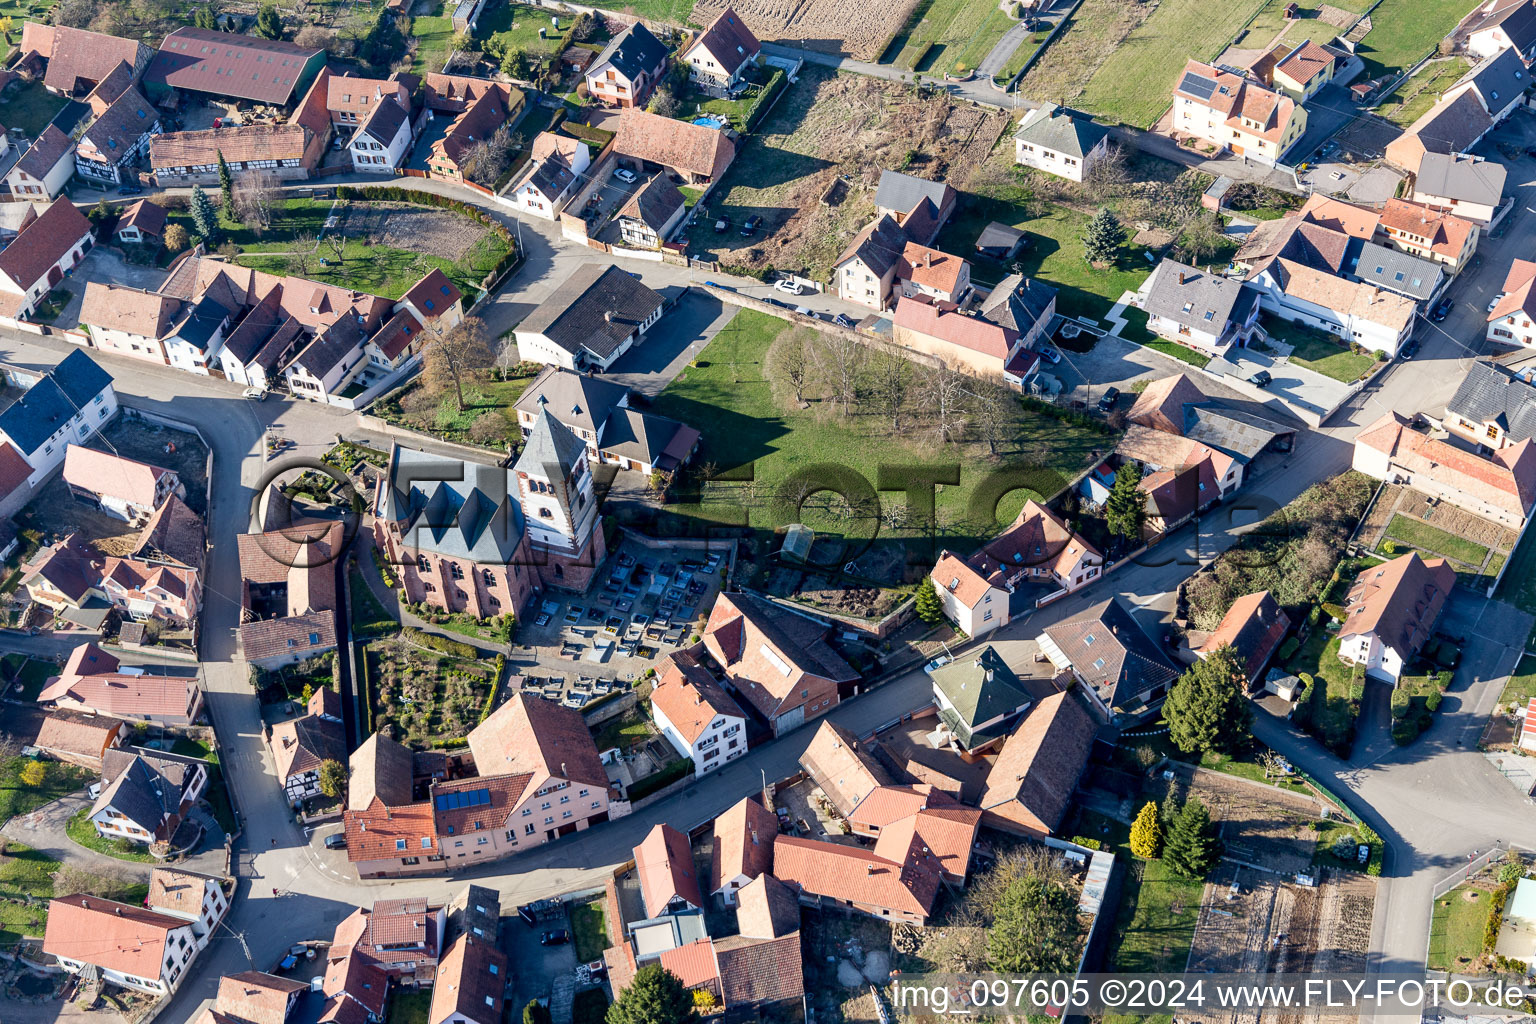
[(849, 28)]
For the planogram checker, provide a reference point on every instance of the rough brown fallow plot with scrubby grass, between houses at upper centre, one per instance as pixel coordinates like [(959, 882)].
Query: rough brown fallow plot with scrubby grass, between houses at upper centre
[(836, 125)]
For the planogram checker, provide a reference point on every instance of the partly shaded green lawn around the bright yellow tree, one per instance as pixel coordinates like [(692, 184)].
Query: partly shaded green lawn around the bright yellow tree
[(1159, 910)]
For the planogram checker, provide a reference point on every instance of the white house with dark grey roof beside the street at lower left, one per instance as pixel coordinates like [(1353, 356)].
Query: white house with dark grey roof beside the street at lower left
[(147, 794)]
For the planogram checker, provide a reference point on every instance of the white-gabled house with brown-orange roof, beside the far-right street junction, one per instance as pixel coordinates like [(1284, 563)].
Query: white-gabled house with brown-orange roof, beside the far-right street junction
[(1391, 612)]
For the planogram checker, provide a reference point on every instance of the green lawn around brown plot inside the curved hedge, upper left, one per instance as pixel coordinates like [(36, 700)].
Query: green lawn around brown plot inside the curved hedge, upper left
[(377, 269)]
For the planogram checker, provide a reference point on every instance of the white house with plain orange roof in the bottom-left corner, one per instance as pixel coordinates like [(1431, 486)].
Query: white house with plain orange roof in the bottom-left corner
[(128, 946)]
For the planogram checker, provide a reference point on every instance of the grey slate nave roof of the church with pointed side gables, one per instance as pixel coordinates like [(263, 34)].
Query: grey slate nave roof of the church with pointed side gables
[(452, 507)]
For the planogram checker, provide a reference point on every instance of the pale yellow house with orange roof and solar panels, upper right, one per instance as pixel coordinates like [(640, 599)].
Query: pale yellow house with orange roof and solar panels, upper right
[(1236, 113)]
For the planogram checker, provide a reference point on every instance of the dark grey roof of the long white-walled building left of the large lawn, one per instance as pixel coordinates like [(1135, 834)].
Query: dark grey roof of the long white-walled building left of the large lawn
[(577, 314)]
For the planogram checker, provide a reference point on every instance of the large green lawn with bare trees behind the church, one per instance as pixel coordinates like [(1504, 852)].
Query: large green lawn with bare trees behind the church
[(744, 426)]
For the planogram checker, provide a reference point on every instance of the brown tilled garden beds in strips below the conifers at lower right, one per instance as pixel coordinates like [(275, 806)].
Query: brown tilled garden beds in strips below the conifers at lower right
[(1268, 925)]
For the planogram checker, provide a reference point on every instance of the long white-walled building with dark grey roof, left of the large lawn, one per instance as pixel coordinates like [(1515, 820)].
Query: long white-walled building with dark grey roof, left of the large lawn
[(591, 320)]
